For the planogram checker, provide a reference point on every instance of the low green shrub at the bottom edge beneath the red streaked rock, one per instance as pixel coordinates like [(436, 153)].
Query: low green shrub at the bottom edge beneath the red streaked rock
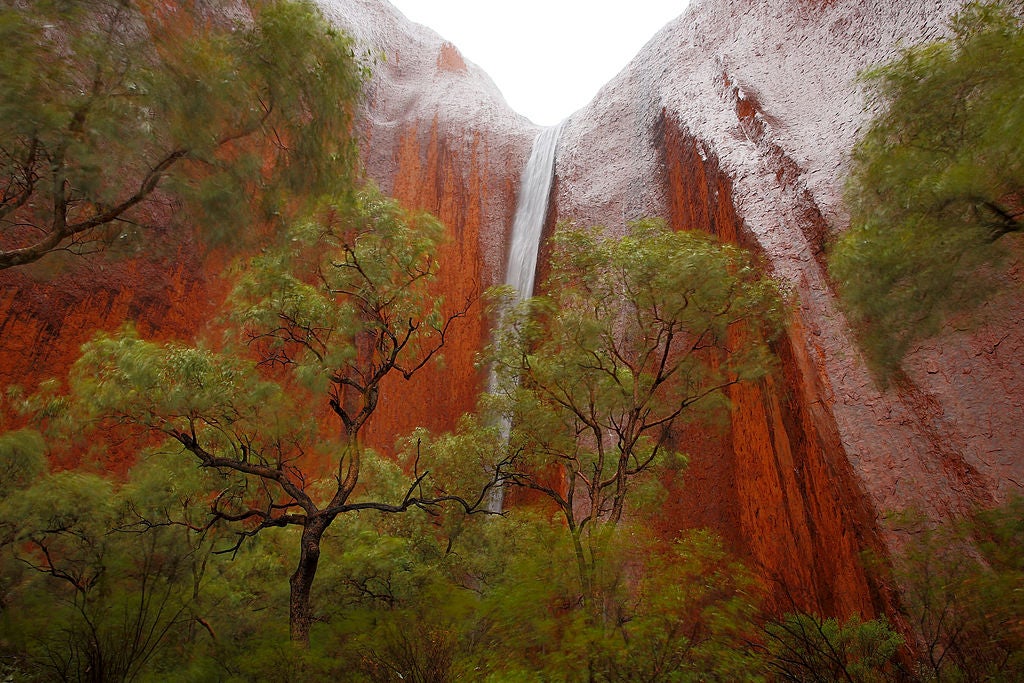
[(806, 648)]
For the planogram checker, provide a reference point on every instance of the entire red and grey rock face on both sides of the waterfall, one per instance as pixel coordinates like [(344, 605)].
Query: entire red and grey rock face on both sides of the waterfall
[(735, 119)]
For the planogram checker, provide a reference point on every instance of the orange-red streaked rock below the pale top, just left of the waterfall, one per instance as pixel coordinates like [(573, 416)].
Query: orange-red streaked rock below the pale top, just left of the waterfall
[(455, 182)]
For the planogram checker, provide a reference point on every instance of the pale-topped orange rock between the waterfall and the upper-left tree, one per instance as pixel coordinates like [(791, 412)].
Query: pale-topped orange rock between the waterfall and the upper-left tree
[(439, 137)]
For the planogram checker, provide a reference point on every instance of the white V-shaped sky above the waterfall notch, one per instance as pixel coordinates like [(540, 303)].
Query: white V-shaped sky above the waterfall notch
[(549, 58)]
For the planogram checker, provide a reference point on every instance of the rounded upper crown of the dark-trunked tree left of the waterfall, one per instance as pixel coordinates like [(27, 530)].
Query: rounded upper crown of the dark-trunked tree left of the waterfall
[(348, 298)]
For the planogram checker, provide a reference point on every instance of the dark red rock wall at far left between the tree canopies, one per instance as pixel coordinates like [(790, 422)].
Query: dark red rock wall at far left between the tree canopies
[(50, 310)]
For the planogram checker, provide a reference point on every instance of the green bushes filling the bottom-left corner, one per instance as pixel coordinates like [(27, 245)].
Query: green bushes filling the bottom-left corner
[(101, 595)]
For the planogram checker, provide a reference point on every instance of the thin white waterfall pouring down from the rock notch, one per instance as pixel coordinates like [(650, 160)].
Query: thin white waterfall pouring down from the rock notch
[(532, 209)]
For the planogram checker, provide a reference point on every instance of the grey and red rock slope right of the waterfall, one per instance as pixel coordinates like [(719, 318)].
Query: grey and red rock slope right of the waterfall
[(737, 119)]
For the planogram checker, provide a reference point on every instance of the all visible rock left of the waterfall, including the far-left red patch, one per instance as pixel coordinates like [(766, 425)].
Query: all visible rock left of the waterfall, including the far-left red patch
[(437, 135)]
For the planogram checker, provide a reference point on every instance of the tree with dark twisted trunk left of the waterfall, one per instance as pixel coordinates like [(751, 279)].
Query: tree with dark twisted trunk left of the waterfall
[(343, 307)]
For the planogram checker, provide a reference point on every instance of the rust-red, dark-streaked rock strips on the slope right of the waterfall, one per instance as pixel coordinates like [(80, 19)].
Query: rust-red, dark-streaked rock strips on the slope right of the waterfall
[(793, 503)]
